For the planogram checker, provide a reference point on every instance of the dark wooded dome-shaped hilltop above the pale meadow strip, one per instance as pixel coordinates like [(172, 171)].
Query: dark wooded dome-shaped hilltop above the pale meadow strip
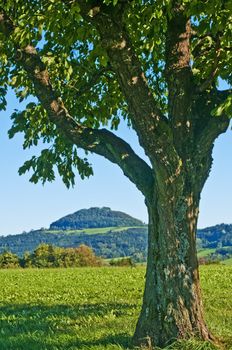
[(95, 218)]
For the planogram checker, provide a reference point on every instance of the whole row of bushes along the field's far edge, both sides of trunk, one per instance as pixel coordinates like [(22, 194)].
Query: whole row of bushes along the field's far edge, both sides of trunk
[(48, 255)]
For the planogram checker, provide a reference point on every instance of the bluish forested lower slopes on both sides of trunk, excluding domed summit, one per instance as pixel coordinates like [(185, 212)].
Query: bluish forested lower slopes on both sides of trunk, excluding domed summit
[(110, 244)]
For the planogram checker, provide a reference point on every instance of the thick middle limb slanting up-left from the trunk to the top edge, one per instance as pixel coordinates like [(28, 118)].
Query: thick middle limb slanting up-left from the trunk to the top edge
[(151, 126)]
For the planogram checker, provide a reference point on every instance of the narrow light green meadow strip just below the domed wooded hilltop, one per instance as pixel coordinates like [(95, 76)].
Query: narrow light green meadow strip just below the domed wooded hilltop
[(94, 231)]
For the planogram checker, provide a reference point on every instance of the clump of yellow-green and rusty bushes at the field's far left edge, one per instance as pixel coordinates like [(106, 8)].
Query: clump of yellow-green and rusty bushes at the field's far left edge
[(47, 255)]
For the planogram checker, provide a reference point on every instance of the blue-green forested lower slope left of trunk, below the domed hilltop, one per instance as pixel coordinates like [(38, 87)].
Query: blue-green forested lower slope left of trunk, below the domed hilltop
[(128, 242)]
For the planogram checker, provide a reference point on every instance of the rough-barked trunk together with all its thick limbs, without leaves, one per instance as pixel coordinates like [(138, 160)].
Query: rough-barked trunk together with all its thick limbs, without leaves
[(180, 151)]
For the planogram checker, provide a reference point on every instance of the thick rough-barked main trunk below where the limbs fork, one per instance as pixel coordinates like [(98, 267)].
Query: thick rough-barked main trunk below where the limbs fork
[(172, 306)]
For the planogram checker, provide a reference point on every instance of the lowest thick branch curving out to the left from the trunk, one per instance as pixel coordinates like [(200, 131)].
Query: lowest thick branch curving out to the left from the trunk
[(102, 142)]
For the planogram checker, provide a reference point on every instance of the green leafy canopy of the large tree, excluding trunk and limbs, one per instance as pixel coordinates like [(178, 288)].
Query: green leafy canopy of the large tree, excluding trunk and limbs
[(81, 73)]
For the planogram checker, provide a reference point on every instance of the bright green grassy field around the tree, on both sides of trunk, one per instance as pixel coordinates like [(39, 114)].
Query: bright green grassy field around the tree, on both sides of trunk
[(94, 308)]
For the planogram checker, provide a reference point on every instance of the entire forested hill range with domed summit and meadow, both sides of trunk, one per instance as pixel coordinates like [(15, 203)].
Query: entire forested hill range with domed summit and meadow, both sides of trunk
[(124, 236)]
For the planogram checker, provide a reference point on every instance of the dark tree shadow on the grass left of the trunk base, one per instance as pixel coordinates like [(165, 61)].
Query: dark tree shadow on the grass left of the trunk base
[(84, 326)]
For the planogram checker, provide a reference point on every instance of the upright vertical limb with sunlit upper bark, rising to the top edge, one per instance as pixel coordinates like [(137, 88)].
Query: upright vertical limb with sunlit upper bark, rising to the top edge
[(179, 78)]
